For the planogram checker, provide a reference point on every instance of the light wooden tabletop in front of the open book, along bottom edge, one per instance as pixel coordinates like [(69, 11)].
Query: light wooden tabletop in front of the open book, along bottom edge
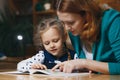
[(47, 77)]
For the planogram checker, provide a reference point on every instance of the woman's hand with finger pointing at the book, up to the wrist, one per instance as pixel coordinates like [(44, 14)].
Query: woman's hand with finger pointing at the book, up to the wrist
[(71, 65)]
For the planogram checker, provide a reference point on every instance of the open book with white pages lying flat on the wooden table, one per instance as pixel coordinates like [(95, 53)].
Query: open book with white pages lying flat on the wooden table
[(46, 72)]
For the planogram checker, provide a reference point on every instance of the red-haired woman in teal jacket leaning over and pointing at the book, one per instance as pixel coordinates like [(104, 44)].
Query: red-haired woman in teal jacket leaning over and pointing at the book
[(94, 33)]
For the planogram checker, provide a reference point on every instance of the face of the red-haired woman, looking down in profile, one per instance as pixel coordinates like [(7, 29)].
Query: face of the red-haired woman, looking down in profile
[(73, 22)]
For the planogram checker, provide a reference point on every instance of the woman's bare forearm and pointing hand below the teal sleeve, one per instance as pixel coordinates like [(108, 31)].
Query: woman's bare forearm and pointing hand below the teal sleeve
[(79, 64)]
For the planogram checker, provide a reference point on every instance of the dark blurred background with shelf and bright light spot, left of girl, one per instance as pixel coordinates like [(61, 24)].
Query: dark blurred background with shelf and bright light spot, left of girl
[(18, 21)]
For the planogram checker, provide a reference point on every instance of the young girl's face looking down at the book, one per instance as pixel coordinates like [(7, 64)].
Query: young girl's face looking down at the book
[(53, 42)]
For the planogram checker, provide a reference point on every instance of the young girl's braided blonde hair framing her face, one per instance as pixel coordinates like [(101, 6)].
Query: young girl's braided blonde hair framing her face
[(46, 24)]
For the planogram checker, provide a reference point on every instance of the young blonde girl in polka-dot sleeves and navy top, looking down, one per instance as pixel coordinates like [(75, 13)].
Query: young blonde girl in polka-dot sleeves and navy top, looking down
[(52, 36)]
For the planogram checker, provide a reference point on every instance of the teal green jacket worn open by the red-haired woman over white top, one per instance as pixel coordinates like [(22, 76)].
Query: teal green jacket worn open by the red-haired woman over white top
[(107, 49)]
